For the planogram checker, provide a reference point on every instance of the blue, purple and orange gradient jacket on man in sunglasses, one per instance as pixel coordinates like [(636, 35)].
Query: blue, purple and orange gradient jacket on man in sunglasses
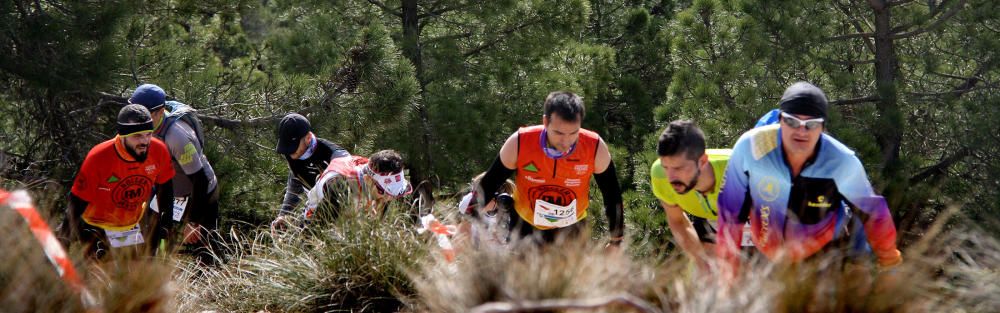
[(793, 218)]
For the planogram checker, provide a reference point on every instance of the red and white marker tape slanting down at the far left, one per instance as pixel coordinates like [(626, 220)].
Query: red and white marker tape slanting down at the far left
[(20, 201)]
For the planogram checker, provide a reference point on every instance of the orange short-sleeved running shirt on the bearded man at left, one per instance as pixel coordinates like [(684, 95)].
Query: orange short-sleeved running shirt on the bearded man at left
[(116, 186)]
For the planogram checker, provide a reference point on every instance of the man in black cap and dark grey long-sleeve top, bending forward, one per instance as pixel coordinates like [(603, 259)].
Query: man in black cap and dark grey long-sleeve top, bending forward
[(307, 156)]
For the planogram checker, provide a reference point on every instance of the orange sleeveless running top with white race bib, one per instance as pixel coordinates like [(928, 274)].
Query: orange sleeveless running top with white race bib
[(553, 193)]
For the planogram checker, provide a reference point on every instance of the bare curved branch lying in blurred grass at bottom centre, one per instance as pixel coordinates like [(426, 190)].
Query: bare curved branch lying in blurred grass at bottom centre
[(566, 304)]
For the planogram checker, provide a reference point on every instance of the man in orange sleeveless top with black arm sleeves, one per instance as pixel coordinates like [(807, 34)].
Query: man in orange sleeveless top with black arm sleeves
[(553, 164)]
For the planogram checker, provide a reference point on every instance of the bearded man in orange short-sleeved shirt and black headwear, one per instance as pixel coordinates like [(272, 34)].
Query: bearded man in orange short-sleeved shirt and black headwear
[(111, 193)]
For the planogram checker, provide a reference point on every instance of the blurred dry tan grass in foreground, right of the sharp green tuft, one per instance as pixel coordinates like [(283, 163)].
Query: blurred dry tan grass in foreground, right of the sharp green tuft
[(956, 271)]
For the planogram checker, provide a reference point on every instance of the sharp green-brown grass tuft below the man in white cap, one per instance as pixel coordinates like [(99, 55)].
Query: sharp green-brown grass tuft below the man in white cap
[(355, 263)]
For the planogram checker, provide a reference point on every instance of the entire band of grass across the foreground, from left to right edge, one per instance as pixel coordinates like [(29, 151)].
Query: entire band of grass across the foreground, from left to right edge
[(360, 263)]
